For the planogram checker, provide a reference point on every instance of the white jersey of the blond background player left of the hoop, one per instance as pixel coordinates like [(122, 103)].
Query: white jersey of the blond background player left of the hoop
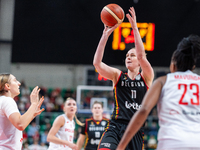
[(65, 133)]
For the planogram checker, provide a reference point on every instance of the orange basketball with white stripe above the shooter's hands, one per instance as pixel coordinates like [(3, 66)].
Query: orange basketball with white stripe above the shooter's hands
[(112, 14)]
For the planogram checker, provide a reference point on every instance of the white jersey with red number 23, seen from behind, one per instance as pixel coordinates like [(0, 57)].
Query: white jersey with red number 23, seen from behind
[(179, 111)]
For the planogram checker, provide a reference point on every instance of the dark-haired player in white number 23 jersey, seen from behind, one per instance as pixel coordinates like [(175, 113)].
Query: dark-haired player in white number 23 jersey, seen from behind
[(178, 104)]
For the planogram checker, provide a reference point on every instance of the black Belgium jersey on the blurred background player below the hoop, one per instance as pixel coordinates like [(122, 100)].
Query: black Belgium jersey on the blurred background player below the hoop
[(93, 130)]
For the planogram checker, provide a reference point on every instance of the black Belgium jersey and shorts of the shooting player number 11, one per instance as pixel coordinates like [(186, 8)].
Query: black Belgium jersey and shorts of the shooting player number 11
[(128, 95)]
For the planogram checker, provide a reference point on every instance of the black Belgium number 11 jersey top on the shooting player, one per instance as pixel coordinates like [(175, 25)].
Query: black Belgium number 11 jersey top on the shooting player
[(128, 95)]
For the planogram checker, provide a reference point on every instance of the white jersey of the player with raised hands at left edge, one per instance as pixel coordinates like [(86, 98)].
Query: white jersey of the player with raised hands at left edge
[(10, 137)]
